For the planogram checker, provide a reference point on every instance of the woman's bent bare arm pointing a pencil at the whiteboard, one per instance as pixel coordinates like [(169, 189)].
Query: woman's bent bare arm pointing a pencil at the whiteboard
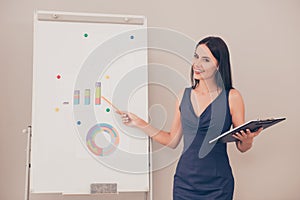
[(170, 139)]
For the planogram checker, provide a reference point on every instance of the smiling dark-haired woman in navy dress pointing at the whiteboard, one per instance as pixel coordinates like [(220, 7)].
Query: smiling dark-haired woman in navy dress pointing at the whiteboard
[(197, 114)]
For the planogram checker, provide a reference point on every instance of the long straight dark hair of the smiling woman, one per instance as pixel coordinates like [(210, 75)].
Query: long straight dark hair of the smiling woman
[(220, 51)]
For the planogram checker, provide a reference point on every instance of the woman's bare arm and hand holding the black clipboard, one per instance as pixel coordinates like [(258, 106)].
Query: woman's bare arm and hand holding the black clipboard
[(237, 110)]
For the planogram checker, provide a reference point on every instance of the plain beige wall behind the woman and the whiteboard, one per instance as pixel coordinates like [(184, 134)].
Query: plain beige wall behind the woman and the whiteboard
[(263, 37)]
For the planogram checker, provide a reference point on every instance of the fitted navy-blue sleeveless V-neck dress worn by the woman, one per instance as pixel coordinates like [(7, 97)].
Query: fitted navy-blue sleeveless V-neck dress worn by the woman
[(203, 171)]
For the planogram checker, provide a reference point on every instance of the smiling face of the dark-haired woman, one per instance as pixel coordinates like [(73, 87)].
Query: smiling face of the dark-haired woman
[(205, 64)]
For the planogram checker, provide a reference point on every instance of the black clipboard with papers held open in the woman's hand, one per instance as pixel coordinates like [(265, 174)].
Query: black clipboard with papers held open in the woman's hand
[(253, 125)]
